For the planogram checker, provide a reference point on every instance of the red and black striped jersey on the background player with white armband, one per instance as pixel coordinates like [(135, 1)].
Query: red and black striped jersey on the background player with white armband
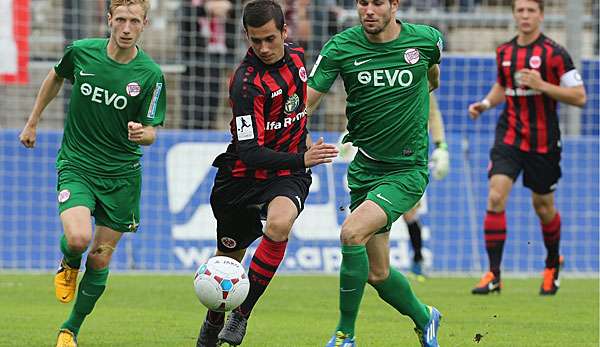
[(530, 120)]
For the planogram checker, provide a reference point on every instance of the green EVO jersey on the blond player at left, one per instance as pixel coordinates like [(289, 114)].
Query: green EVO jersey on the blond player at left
[(107, 95)]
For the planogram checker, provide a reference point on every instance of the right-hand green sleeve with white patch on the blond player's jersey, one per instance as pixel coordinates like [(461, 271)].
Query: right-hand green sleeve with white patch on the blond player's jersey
[(154, 106)]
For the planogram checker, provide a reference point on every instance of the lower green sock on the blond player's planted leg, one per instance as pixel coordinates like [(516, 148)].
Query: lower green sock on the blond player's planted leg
[(90, 289)]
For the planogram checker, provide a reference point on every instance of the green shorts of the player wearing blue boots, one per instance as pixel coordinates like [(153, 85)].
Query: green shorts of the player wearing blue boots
[(395, 190)]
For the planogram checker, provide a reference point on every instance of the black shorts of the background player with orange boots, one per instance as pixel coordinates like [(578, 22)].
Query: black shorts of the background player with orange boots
[(541, 172)]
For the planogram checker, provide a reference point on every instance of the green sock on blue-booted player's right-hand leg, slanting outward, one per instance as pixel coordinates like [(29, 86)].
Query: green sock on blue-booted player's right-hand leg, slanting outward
[(396, 291)]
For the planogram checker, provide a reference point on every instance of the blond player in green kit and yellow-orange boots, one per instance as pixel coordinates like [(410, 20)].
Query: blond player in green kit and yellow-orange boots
[(118, 99)]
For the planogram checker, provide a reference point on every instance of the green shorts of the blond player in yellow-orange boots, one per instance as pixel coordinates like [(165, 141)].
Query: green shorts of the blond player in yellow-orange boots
[(114, 202)]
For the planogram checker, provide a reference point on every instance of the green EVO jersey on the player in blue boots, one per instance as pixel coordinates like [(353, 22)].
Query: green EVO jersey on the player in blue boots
[(388, 91)]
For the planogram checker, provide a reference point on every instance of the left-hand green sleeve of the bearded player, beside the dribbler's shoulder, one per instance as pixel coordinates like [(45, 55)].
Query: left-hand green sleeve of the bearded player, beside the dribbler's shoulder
[(326, 68)]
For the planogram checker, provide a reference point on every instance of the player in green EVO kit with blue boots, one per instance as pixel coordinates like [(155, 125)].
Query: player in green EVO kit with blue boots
[(388, 69)]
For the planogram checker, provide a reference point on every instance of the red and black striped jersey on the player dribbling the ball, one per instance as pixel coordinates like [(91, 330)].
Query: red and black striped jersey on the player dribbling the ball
[(268, 127)]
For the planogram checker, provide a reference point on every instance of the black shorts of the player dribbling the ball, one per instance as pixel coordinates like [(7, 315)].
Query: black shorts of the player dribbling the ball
[(239, 205)]
